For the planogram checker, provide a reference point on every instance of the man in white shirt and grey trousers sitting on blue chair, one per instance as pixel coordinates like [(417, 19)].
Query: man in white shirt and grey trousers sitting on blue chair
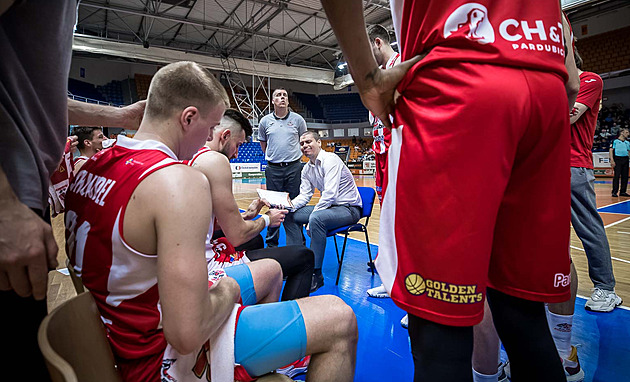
[(339, 204)]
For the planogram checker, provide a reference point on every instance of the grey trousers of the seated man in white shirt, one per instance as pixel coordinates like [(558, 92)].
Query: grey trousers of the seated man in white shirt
[(320, 222)]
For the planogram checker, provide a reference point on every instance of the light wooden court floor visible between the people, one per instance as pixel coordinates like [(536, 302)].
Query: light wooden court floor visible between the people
[(617, 228)]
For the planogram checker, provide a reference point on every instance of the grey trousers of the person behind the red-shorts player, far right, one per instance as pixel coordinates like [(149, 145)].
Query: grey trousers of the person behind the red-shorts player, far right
[(589, 227)]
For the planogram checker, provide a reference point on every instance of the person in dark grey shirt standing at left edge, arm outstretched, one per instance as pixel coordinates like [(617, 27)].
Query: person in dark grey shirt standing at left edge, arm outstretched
[(34, 116)]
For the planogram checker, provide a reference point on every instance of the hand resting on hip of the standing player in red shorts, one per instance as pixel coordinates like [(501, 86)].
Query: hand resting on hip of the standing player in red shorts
[(378, 87)]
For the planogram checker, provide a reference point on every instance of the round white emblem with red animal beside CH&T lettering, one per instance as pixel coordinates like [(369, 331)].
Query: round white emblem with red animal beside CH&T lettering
[(470, 20)]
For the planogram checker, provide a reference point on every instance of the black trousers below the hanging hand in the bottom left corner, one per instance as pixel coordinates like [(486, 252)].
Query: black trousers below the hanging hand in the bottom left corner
[(19, 323)]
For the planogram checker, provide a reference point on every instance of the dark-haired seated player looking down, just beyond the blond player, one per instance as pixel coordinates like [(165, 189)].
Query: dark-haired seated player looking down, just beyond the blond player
[(240, 228)]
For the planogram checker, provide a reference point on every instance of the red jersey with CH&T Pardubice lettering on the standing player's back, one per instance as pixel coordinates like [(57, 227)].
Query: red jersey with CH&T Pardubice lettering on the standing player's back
[(524, 34)]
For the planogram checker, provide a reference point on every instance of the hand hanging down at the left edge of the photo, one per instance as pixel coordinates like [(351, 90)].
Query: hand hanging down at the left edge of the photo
[(27, 250)]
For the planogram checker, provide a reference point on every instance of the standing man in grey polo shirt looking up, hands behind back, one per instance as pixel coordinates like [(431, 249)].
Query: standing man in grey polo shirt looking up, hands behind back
[(279, 134)]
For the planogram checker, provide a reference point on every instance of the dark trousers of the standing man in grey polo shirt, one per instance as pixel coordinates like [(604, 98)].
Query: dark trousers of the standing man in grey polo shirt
[(285, 179)]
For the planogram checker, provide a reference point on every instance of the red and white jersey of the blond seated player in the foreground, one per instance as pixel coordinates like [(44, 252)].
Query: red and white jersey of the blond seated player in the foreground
[(122, 280)]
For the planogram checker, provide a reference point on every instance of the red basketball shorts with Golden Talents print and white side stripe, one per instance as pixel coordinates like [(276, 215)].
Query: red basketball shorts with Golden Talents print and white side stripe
[(478, 191)]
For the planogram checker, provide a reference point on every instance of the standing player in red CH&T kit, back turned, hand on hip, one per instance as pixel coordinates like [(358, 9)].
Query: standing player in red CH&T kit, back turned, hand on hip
[(455, 122)]
